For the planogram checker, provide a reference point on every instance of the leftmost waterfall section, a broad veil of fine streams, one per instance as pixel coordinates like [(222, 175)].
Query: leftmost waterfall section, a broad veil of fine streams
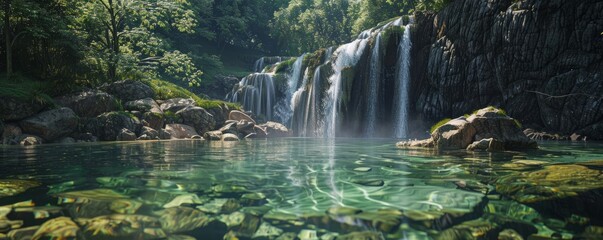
[(256, 94)]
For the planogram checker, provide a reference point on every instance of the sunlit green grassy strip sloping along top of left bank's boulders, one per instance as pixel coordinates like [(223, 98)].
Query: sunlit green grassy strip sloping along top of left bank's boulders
[(167, 90)]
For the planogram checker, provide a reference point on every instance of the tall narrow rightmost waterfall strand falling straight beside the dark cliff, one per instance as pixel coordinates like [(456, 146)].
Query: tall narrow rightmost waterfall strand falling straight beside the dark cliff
[(402, 85)]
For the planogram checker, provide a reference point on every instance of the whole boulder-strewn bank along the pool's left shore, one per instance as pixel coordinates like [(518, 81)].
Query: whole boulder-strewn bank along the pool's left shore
[(125, 111)]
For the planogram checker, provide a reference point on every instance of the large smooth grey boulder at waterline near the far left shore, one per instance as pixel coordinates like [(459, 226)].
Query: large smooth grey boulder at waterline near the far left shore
[(52, 124)]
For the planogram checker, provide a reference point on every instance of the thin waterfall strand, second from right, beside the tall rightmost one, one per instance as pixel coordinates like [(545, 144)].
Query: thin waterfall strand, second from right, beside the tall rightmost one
[(373, 90)]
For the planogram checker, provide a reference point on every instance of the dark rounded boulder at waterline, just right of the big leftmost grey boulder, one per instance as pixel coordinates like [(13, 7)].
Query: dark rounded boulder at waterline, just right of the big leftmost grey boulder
[(109, 125)]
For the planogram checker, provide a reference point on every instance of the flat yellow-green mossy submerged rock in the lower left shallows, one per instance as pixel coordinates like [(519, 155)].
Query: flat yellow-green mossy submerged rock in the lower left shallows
[(97, 202)]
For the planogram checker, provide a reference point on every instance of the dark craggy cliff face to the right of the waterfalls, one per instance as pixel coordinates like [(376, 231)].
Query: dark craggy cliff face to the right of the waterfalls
[(514, 55)]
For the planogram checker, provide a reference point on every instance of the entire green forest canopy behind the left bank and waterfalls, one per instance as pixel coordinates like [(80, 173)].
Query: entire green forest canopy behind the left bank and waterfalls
[(90, 42)]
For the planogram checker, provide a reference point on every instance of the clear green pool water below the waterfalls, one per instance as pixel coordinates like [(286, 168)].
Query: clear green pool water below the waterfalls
[(297, 181)]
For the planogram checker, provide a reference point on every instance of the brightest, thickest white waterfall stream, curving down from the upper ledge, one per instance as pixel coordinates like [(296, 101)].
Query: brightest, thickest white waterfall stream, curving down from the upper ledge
[(347, 55)]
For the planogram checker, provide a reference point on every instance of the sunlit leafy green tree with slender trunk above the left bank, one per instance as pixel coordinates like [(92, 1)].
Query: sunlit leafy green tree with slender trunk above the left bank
[(129, 38)]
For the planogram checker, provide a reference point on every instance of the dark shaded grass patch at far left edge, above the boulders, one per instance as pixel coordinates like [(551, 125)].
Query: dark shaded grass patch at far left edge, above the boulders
[(25, 89)]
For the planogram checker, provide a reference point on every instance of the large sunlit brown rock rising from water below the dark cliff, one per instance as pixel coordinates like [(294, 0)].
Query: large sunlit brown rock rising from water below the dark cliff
[(487, 129)]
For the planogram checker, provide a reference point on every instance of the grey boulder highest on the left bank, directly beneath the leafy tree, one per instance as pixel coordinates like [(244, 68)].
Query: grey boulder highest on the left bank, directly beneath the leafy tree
[(129, 90)]
